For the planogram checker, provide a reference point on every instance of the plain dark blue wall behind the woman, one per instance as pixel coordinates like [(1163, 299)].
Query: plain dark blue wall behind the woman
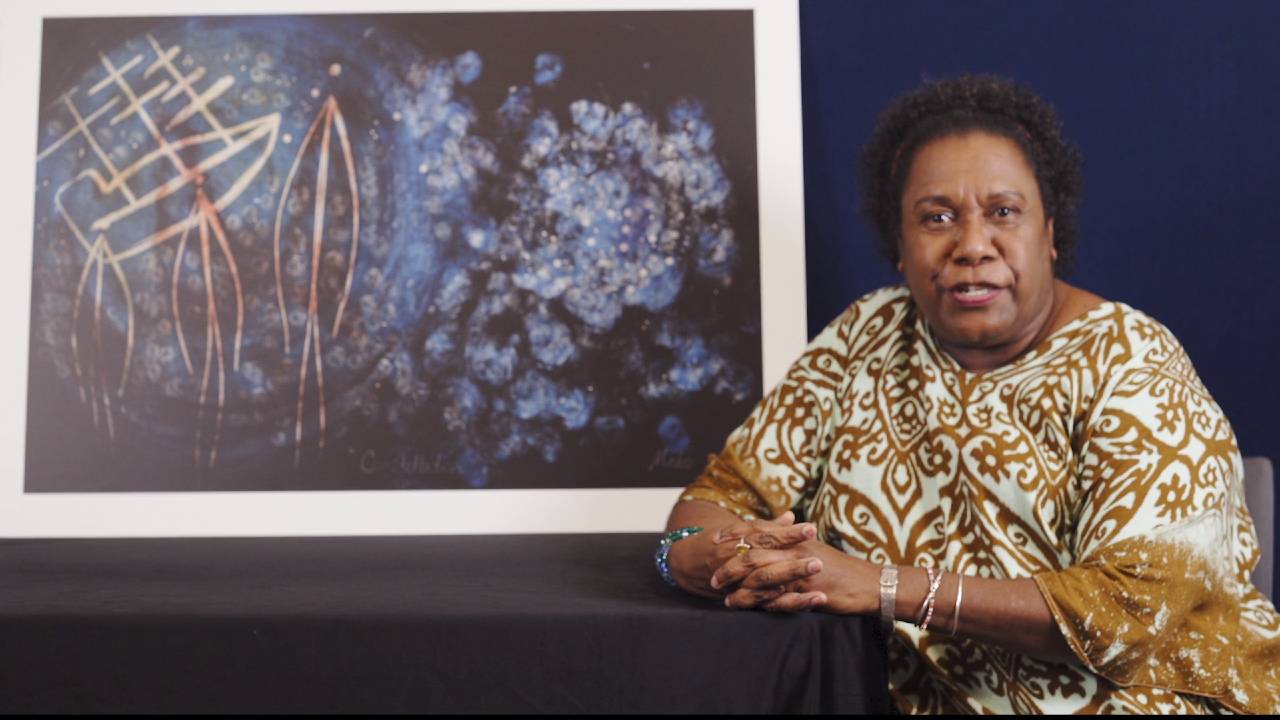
[(1177, 110)]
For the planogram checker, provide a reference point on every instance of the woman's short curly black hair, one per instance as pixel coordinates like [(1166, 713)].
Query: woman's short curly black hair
[(964, 104)]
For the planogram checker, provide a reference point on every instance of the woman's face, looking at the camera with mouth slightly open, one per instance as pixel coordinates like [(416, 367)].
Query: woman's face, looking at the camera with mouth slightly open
[(976, 248)]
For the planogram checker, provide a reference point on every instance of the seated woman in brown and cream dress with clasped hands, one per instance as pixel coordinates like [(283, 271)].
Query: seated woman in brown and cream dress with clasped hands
[(1028, 482)]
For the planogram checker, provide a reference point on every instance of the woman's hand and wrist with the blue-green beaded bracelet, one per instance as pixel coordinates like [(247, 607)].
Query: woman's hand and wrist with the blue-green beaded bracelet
[(694, 560)]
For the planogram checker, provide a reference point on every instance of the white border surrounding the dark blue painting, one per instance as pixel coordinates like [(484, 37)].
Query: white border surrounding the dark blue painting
[(344, 513)]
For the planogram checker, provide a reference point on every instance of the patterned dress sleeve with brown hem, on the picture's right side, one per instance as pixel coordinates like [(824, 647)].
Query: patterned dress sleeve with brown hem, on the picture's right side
[(1159, 593)]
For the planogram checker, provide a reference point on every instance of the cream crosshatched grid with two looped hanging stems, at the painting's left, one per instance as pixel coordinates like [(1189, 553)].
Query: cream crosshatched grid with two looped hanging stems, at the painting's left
[(113, 186)]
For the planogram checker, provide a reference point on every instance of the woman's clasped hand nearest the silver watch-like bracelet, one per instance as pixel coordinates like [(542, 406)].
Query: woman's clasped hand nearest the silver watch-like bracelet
[(810, 576)]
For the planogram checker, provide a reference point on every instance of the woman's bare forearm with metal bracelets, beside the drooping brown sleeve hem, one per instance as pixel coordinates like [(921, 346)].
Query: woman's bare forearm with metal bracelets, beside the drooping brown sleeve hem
[(1011, 614)]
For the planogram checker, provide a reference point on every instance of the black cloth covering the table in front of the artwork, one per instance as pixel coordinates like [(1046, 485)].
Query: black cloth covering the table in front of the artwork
[(404, 625)]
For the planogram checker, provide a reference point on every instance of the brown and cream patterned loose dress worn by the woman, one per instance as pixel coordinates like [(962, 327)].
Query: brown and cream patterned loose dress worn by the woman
[(1096, 464)]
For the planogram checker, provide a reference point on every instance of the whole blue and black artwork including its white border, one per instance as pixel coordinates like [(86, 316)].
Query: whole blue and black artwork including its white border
[(316, 268)]
